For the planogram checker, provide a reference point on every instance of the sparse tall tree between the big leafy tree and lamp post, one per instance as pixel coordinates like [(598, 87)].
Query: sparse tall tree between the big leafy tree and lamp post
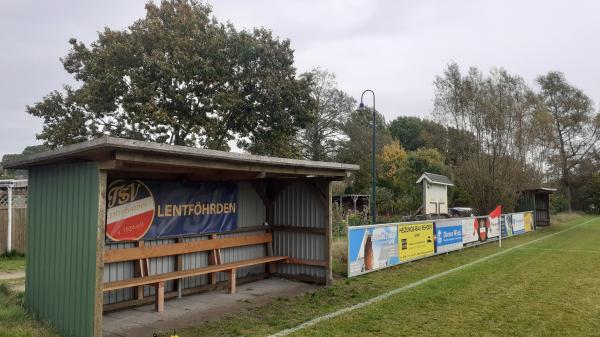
[(332, 107)]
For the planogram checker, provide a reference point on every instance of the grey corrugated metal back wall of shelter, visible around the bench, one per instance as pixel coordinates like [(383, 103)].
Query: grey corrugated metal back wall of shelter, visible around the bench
[(251, 213)]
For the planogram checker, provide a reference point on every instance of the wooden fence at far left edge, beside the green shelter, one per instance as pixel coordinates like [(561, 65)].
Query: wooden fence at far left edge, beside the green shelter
[(19, 221)]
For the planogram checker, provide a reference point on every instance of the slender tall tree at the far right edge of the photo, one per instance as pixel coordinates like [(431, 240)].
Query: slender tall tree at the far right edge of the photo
[(576, 125)]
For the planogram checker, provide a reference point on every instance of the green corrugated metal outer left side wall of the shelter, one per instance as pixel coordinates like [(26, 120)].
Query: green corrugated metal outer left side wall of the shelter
[(61, 252)]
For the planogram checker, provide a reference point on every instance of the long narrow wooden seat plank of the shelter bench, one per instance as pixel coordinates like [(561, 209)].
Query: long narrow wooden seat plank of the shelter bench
[(138, 281)]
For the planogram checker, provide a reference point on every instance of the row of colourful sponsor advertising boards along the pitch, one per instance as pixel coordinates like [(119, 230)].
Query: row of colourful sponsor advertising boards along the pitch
[(381, 246)]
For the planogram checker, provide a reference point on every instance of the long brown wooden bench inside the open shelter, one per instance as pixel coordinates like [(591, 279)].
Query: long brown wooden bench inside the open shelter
[(214, 245)]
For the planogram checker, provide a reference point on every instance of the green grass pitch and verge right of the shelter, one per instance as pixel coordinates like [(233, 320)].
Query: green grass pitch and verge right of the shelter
[(547, 288)]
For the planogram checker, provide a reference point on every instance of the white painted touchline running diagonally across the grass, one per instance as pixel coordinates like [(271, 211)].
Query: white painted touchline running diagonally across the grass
[(396, 291)]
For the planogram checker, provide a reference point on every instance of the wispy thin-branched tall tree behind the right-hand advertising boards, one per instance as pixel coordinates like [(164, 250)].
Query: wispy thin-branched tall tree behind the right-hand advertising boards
[(497, 110)]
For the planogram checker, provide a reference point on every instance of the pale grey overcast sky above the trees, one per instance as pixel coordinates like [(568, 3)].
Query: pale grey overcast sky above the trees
[(395, 48)]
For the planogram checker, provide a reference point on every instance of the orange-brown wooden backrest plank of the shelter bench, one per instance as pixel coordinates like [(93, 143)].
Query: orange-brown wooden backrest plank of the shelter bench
[(137, 253)]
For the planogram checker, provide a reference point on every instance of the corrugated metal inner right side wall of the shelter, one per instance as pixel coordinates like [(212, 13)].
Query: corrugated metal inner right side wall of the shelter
[(298, 206)]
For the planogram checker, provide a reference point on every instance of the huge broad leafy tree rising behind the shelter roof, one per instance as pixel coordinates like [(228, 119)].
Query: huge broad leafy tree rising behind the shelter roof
[(179, 76)]
